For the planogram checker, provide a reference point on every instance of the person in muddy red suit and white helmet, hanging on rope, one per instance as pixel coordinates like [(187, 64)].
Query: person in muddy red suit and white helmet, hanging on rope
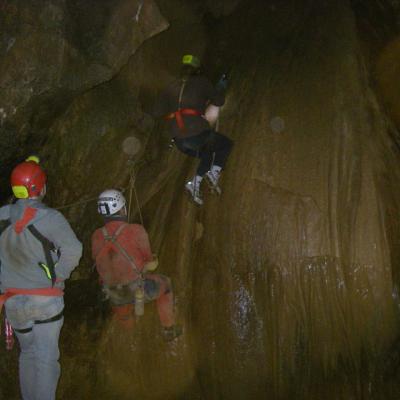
[(124, 262)]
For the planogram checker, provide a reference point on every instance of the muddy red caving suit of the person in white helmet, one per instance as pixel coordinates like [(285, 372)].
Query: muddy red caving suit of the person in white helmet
[(119, 277)]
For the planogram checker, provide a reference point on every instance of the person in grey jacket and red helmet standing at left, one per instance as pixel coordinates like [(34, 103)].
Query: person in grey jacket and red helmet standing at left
[(38, 251)]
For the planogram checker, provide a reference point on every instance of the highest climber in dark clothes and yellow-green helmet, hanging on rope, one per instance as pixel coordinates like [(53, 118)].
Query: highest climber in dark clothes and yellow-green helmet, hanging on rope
[(186, 104)]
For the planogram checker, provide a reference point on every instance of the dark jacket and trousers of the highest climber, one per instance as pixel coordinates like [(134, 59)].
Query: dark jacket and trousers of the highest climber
[(189, 129)]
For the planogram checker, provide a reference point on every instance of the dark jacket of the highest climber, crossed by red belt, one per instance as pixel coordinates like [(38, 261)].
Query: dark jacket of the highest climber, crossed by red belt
[(197, 94)]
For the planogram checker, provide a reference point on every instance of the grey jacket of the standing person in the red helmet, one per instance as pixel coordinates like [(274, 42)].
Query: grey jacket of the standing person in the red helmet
[(21, 253)]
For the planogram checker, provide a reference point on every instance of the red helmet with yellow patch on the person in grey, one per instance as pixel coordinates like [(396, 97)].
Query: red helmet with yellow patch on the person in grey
[(27, 180)]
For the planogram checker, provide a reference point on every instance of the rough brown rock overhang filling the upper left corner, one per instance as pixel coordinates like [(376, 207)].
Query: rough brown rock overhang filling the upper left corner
[(54, 50)]
